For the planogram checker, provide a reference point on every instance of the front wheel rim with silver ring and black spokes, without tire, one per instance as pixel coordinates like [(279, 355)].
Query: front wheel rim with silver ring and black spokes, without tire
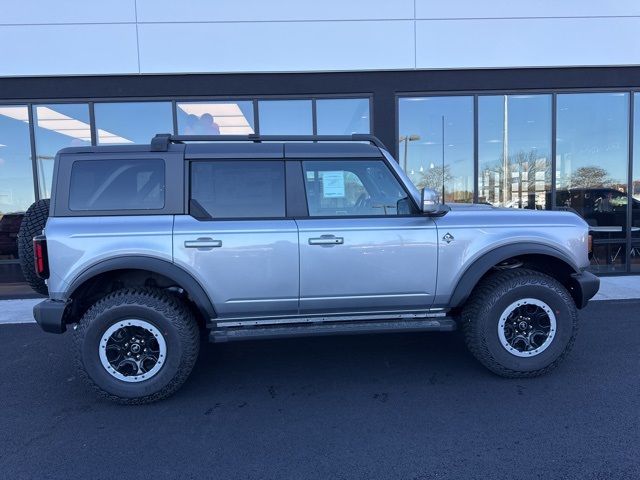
[(526, 328)]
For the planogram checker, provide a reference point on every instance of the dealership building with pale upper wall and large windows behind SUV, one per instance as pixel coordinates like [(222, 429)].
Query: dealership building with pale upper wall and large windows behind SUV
[(517, 104)]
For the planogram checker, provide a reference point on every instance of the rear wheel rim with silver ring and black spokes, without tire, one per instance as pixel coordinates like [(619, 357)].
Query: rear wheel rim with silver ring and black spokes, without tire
[(132, 350)]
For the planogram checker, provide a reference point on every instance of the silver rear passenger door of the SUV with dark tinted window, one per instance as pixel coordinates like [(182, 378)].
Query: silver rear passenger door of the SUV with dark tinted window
[(236, 239)]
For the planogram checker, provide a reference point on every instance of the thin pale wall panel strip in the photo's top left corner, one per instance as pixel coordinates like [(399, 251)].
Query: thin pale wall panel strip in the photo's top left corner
[(66, 11)]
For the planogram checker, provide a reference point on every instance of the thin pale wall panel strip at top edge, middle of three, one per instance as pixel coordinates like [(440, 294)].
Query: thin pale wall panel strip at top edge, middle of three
[(274, 10)]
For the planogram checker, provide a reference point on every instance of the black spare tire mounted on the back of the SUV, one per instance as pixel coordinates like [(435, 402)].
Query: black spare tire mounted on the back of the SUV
[(33, 222)]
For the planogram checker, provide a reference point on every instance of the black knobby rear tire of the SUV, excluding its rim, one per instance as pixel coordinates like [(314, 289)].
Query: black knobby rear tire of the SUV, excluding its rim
[(164, 311)]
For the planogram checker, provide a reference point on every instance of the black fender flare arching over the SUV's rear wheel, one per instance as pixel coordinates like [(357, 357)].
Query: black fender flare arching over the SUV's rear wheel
[(156, 268)]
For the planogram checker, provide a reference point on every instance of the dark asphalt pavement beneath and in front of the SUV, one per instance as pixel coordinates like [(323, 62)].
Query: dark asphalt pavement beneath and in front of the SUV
[(406, 406)]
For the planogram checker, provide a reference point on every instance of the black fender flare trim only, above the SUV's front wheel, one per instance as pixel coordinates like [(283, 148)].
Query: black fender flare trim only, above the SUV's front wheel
[(488, 260)]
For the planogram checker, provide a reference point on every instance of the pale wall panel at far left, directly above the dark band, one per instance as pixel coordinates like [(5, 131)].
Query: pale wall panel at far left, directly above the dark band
[(68, 49)]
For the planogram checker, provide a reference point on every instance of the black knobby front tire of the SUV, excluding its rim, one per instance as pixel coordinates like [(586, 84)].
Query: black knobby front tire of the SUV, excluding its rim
[(489, 300)]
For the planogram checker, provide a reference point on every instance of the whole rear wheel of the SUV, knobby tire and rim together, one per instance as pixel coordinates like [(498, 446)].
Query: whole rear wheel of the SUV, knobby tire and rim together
[(137, 345)]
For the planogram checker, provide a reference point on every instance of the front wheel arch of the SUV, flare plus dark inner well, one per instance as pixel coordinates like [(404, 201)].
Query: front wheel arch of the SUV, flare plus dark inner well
[(535, 256)]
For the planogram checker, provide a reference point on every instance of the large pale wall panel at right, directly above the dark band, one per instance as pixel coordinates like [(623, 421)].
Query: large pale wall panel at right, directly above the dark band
[(522, 43)]
